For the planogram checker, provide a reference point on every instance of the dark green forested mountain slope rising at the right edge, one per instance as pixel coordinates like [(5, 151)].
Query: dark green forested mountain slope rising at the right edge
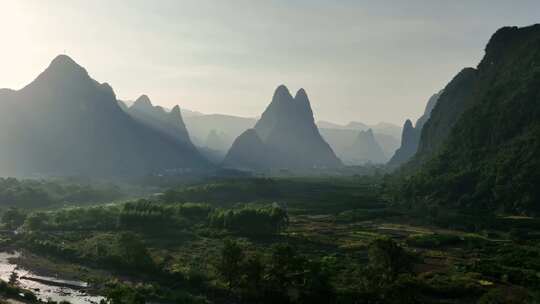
[(481, 147)]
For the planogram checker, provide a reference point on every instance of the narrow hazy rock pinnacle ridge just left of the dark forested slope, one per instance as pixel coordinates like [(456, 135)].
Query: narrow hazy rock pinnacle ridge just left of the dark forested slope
[(410, 137)]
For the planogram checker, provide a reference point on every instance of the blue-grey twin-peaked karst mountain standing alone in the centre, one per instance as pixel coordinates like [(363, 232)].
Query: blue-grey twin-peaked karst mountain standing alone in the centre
[(288, 132)]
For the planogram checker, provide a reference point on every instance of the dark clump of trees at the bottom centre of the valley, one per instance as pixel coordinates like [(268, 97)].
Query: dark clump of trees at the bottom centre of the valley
[(285, 276)]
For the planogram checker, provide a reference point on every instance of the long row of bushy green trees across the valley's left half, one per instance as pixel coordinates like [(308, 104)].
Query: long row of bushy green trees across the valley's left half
[(147, 216)]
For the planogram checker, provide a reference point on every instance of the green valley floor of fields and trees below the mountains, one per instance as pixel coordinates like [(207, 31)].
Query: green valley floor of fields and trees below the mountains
[(169, 250)]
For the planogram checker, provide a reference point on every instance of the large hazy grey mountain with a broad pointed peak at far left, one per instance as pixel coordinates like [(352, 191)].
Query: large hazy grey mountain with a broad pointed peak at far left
[(66, 123)]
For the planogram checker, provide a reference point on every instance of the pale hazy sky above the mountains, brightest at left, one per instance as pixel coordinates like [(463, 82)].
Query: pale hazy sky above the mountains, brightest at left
[(368, 61)]
